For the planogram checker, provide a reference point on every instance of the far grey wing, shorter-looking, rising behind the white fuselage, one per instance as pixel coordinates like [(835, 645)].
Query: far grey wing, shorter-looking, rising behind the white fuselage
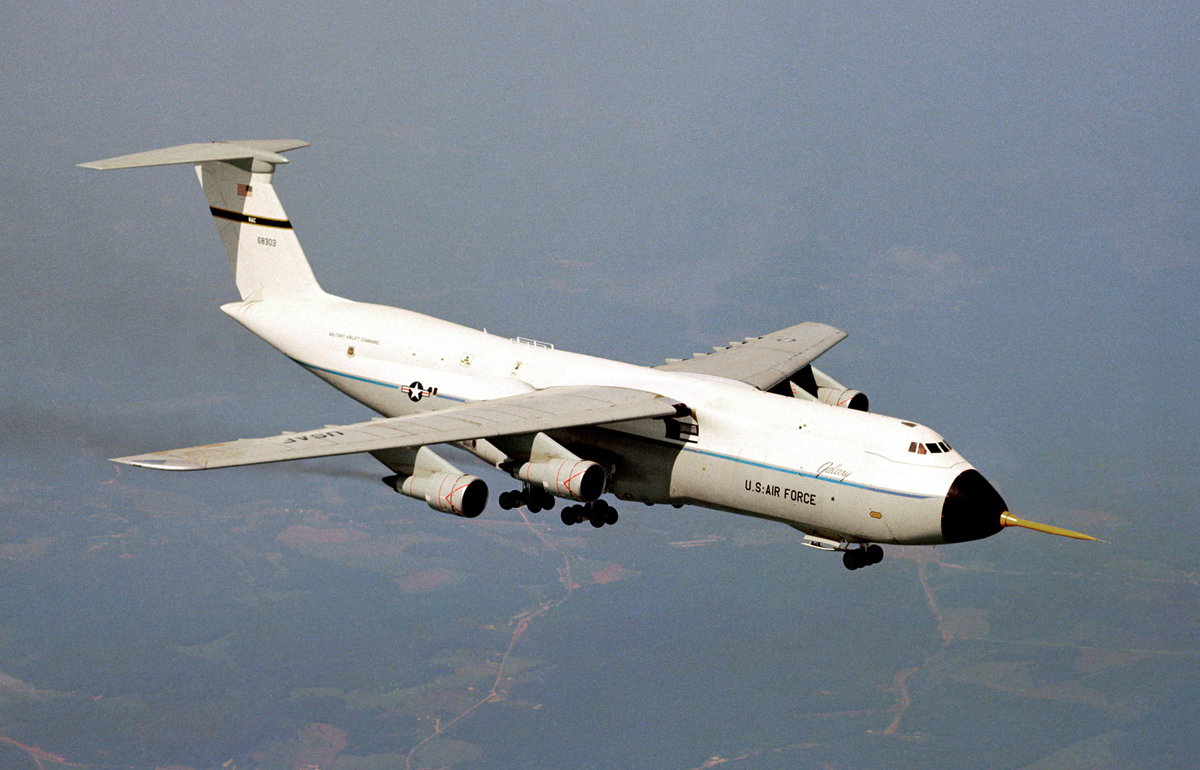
[(764, 362)]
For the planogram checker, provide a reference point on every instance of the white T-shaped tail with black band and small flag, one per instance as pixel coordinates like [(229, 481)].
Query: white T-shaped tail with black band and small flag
[(265, 254)]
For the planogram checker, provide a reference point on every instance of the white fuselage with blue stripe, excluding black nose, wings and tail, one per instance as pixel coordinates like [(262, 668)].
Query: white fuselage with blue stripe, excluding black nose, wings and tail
[(836, 474)]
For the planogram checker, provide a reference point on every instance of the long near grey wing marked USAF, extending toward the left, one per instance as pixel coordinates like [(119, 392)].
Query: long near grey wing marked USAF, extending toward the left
[(513, 416)]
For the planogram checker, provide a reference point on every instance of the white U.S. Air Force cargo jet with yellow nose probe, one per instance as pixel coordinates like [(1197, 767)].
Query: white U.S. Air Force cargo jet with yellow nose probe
[(751, 429)]
